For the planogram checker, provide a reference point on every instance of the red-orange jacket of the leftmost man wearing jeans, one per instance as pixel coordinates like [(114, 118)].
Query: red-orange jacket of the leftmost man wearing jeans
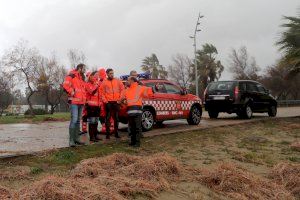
[(74, 84)]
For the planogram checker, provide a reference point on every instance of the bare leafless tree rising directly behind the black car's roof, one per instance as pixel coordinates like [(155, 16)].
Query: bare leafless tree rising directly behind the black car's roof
[(242, 66)]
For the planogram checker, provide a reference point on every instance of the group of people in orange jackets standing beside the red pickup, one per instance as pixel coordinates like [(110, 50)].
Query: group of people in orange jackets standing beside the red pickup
[(97, 96)]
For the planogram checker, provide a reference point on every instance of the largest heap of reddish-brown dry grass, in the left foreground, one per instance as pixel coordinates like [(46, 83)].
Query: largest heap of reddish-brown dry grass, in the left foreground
[(116, 177)]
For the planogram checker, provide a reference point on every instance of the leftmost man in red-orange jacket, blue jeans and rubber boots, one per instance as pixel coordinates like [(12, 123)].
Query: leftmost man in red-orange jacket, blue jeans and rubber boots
[(74, 85)]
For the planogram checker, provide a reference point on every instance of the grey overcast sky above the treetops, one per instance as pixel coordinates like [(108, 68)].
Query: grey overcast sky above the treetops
[(121, 33)]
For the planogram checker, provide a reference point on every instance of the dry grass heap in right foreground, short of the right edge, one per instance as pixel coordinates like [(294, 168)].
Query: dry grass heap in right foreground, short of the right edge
[(239, 184)]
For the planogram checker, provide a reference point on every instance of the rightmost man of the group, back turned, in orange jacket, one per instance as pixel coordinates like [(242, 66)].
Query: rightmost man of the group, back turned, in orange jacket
[(133, 98)]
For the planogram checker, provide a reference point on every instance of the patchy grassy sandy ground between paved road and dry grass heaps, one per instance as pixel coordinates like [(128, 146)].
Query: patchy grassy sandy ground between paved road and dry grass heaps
[(255, 147)]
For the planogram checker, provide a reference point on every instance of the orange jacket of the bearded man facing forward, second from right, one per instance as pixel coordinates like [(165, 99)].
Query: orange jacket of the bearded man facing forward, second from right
[(111, 90)]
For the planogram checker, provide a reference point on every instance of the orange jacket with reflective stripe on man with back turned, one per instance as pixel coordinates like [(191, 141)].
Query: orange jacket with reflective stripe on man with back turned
[(135, 93)]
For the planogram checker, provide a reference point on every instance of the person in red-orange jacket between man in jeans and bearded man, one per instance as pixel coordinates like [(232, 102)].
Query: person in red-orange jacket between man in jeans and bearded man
[(93, 105)]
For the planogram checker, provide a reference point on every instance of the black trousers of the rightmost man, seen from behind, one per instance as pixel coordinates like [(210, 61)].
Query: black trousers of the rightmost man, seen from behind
[(135, 126)]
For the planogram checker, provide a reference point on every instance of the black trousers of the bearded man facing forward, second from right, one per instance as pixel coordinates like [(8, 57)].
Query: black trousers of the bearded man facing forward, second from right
[(112, 110)]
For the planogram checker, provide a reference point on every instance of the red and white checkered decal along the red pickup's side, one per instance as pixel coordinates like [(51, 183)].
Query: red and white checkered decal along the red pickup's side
[(169, 105)]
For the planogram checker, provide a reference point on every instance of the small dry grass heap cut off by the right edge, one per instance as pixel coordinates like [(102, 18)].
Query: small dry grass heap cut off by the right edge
[(288, 175)]
